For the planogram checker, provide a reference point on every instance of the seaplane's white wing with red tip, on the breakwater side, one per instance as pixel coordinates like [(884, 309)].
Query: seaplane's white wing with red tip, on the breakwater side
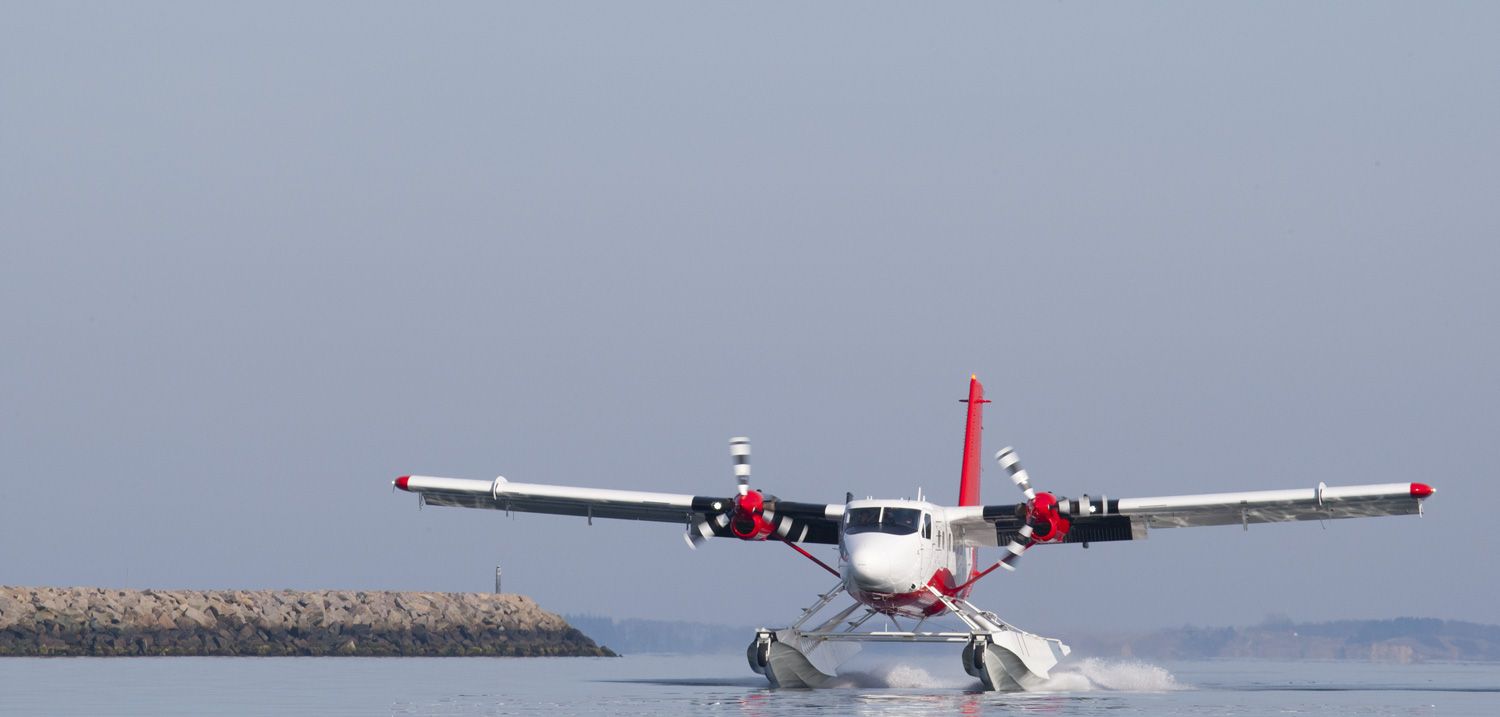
[(799, 523)]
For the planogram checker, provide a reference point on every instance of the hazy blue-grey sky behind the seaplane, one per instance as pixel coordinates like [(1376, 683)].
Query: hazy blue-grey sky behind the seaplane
[(259, 260)]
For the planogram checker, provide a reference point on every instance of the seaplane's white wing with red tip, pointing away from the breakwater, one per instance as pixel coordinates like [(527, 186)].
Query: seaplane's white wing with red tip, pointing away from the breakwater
[(1102, 520)]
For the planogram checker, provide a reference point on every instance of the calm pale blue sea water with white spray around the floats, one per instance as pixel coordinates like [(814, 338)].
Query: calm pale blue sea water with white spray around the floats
[(665, 686)]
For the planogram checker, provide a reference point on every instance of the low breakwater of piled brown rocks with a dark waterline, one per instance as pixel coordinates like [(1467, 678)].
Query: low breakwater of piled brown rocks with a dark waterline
[(92, 622)]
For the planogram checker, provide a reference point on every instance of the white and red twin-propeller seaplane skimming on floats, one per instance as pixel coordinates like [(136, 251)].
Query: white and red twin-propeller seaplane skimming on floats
[(911, 559)]
